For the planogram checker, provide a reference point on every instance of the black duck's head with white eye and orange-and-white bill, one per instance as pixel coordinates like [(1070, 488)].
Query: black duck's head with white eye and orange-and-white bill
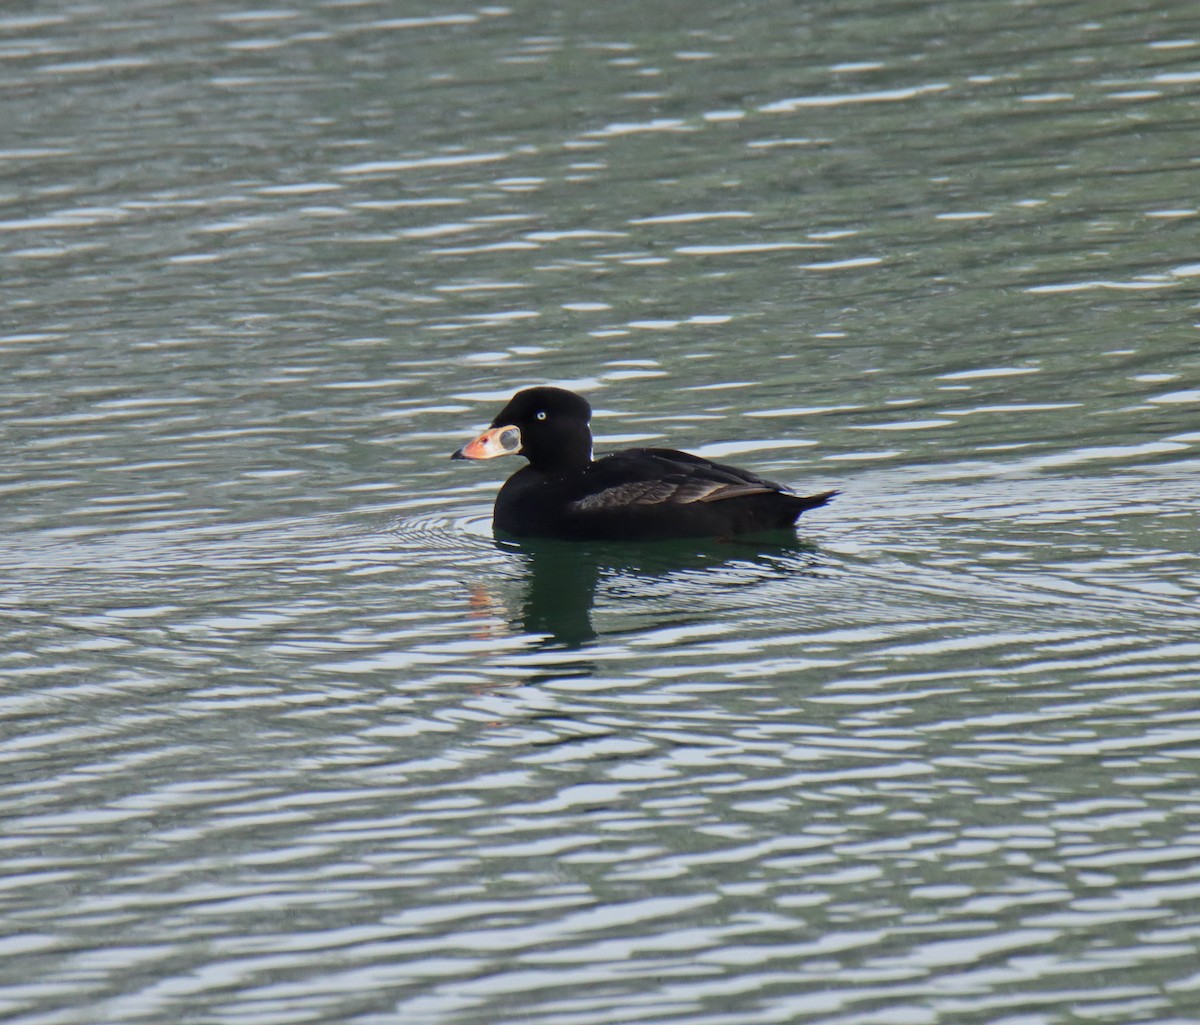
[(549, 427)]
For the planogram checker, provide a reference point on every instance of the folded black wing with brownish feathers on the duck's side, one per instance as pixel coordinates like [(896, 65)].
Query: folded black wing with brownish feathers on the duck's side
[(665, 477)]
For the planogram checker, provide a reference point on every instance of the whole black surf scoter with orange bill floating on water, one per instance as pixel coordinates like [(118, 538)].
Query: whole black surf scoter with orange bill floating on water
[(637, 495)]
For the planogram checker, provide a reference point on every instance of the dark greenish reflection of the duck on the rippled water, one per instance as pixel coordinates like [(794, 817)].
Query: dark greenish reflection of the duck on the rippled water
[(561, 579)]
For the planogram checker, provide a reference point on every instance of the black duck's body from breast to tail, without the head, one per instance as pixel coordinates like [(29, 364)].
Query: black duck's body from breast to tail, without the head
[(647, 495)]
